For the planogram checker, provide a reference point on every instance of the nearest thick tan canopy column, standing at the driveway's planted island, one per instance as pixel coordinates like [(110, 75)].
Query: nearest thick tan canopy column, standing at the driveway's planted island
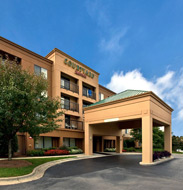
[(147, 140)]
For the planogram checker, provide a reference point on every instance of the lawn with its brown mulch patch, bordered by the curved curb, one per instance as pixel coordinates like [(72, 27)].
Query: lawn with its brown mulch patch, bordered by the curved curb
[(19, 169)]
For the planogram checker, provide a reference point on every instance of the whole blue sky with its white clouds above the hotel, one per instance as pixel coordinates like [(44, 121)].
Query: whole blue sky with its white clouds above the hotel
[(133, 44)]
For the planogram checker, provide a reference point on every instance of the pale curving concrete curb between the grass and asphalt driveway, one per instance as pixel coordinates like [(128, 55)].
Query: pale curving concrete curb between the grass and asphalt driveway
[(39, 171)]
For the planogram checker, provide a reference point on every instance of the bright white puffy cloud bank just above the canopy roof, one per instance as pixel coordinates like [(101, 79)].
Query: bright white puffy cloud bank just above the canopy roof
[(169, 87)]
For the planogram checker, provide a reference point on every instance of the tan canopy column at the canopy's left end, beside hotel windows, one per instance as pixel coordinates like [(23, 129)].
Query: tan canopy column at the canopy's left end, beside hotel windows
[(88, 140)]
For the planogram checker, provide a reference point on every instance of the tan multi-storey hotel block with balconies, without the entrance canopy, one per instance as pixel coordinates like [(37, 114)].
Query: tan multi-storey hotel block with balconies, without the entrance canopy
[(77, 86)]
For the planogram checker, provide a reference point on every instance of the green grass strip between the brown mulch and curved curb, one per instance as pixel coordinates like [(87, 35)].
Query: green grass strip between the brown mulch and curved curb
[(12, 172)]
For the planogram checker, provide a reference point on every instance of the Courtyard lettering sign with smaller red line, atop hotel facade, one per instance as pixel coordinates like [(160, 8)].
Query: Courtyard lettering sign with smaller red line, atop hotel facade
[(79, 70)]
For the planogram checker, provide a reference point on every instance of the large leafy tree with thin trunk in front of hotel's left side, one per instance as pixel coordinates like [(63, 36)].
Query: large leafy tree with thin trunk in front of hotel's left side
[(23, 105)]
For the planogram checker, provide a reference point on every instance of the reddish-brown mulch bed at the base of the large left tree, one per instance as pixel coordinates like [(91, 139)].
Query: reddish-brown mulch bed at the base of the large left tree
[(14, 163)]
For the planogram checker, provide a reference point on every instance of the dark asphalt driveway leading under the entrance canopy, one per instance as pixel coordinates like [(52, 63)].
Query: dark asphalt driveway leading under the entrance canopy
[(111, 172)]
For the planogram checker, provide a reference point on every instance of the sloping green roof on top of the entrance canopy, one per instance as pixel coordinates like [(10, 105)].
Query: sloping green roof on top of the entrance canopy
[(121, 95)]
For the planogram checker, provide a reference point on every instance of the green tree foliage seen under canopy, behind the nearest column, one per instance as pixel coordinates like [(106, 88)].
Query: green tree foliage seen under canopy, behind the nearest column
[(158, 136)]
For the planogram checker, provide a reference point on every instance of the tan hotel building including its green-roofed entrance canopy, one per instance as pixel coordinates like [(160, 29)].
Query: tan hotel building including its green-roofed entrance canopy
[(94, 117)]
